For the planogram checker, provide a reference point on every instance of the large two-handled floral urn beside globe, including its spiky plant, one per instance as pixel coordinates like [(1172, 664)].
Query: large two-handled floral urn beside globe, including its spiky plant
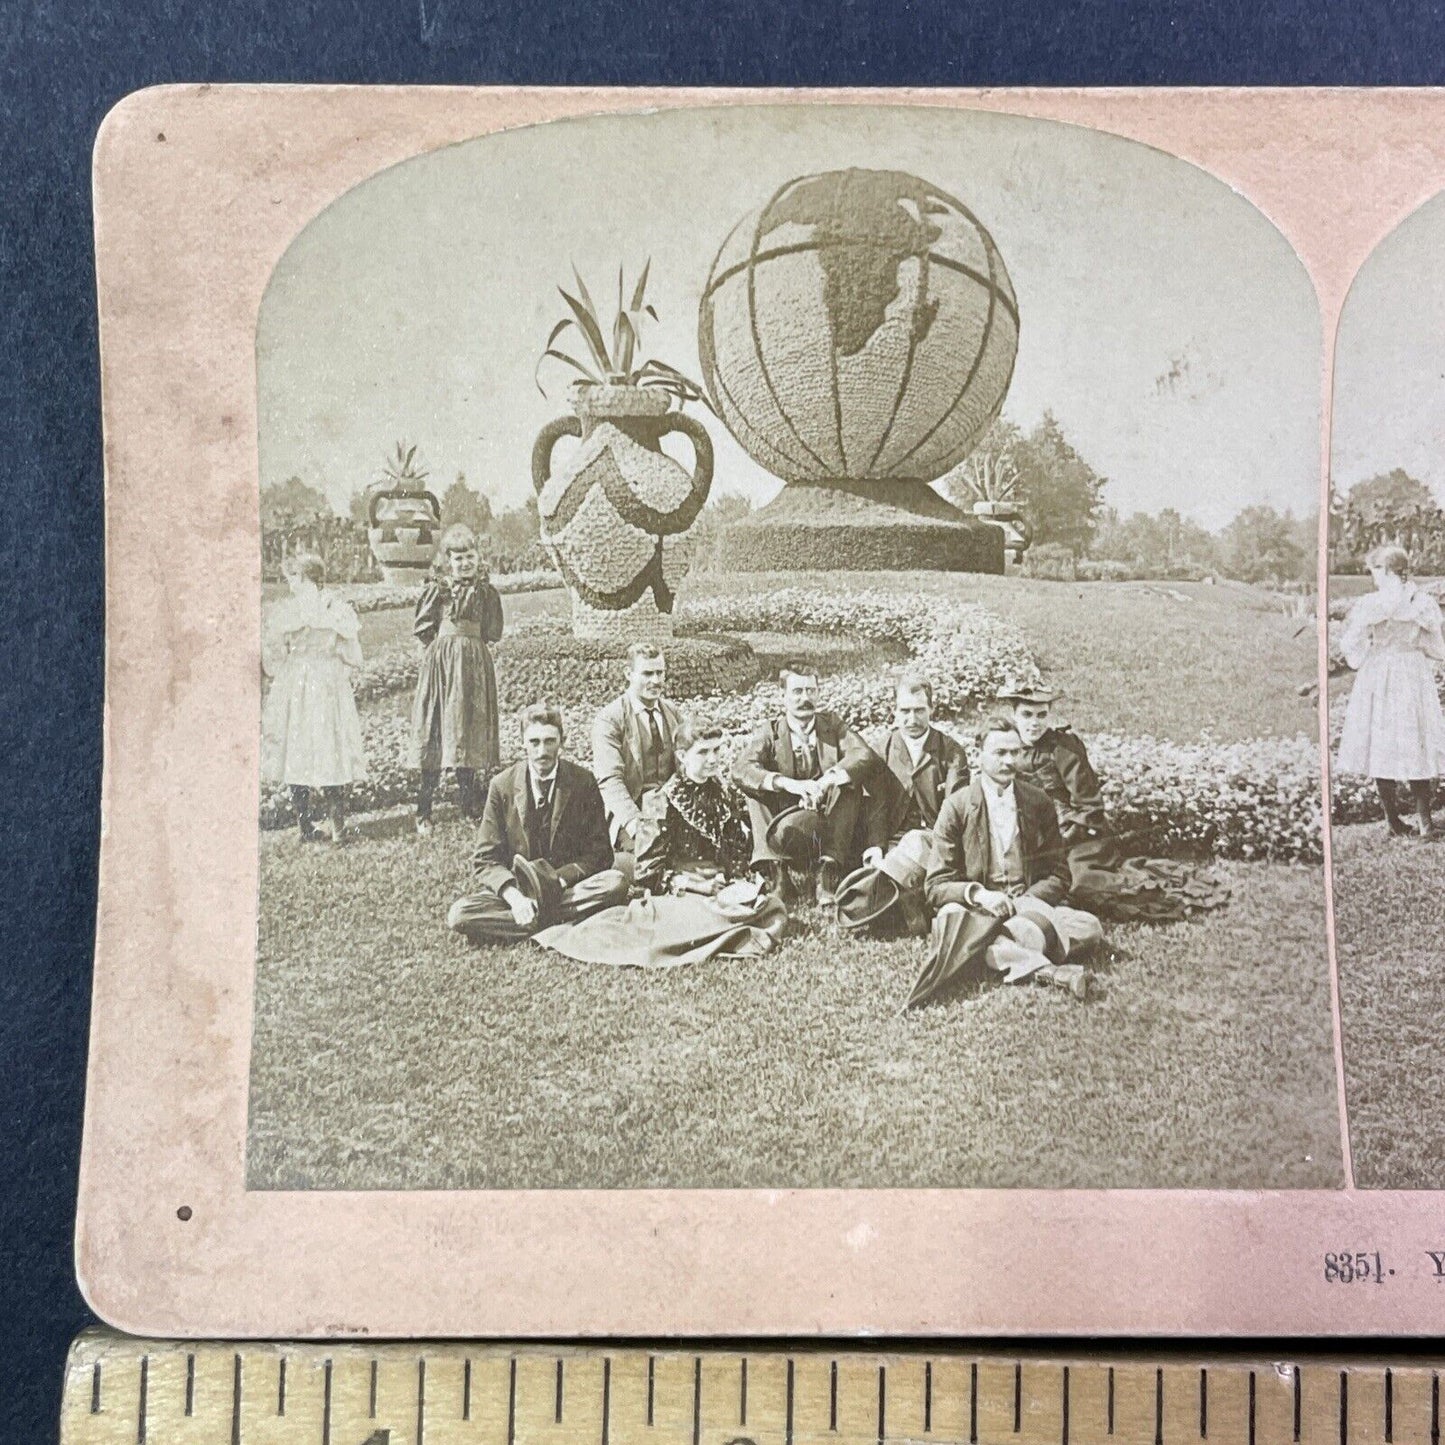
[(615, 515)]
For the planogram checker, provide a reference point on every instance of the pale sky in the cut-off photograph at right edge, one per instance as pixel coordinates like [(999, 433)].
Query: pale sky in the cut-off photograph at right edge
[(1389, 407)]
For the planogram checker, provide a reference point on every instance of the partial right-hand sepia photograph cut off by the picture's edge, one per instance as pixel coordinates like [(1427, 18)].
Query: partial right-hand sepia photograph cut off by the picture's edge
[(1386, 723)]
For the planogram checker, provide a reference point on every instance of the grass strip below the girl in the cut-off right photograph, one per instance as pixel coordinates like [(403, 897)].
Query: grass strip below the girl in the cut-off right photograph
[(1389, 926)]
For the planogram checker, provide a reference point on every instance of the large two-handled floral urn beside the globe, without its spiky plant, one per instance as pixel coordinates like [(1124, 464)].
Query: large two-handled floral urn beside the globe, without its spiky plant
[(615, 514)]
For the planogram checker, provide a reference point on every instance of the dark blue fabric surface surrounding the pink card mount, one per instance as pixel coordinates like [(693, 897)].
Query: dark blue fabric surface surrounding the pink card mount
[(64, 66)]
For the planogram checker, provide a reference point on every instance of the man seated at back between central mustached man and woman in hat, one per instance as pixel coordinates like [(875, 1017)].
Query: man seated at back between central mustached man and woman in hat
[(923, 767)]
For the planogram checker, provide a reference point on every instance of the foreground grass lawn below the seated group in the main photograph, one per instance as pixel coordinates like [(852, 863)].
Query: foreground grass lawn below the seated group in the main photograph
[(388, 1054)]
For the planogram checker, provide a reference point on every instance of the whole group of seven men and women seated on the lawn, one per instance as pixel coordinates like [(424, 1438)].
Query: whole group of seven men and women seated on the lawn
[(664, 855)]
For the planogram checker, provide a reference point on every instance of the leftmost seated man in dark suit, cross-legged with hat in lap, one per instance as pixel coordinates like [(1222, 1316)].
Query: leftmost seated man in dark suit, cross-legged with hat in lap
[(544, 855)]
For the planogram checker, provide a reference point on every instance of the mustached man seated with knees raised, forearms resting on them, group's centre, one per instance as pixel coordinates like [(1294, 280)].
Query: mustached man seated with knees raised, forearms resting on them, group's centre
[(804, 775)]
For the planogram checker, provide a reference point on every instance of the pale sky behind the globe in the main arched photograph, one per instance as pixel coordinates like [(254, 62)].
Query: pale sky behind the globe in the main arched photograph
[(1164, 320)]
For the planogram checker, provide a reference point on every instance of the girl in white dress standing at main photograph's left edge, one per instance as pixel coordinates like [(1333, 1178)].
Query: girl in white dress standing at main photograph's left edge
[(311, 733)]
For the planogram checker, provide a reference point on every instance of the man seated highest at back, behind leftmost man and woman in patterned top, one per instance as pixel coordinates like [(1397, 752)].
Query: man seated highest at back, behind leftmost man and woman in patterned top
[(632, 745)]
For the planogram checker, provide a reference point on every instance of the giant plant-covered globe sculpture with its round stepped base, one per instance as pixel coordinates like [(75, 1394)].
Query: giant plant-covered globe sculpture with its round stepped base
[(858, 336)]
